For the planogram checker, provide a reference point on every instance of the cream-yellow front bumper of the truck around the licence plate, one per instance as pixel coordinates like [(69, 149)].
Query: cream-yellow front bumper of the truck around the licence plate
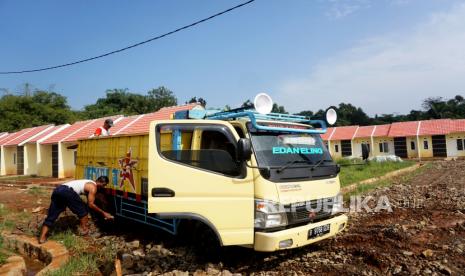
[(298, 236)]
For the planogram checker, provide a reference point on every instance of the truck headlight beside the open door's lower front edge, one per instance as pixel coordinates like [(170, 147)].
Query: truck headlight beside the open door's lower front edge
[(269, 214)]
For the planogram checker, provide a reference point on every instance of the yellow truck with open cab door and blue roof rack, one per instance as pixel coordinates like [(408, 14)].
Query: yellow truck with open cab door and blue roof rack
[(264, 181)]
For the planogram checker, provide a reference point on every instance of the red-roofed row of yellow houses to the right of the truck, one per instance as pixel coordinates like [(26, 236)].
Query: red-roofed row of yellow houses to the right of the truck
[(414, 139)]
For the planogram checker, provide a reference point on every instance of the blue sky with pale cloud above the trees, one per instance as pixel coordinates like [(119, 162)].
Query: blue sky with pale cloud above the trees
[(385, 56)]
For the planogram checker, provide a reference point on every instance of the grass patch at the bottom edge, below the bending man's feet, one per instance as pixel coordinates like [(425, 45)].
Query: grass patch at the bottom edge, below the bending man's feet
[(84, 264)]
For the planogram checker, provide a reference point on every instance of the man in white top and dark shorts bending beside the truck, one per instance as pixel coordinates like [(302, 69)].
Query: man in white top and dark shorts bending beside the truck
[(68, 195)]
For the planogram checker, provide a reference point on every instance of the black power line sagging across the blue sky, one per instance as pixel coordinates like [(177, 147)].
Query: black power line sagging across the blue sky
[(131, 46)]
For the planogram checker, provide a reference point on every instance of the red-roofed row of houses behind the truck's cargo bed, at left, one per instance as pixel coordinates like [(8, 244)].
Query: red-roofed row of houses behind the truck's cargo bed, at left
[(50, 151)]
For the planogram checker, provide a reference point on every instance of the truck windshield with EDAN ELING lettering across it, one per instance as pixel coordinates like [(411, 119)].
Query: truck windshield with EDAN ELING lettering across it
[(276, 149)]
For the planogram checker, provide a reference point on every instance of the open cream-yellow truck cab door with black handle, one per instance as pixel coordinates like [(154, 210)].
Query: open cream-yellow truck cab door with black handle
[(193, 173)]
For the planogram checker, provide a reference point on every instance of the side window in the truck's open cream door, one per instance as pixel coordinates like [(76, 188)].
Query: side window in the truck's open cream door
[(215, 151)]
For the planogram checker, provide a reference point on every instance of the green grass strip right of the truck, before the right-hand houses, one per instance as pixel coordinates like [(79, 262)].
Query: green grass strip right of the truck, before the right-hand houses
[(356, 173)]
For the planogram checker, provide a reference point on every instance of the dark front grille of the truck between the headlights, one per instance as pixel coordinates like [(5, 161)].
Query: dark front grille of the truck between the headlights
[(309, 211)]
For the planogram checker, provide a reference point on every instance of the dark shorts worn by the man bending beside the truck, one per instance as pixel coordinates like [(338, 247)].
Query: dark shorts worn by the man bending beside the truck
[(62, 197)]
